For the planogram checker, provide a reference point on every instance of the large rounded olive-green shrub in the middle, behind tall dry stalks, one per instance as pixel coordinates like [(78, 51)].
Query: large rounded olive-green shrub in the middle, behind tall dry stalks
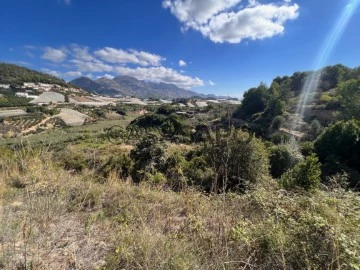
[(238, 159)]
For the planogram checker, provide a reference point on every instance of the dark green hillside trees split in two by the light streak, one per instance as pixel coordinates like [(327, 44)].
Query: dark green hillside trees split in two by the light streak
[(339, 90)]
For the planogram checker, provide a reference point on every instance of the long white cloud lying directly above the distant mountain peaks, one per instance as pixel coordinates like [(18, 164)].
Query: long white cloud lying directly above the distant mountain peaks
[(161, 74)]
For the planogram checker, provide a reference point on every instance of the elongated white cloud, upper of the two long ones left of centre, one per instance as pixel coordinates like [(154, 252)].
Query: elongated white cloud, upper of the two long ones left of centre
[(120, 56)]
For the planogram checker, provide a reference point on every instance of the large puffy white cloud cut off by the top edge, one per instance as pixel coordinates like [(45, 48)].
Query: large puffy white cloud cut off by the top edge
[(226, 21)]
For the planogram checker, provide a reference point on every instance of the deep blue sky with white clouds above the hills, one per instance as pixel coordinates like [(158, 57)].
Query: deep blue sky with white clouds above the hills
[(221, 47)]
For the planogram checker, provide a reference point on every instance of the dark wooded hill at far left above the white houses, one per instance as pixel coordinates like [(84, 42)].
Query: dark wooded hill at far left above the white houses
[(16, 75)]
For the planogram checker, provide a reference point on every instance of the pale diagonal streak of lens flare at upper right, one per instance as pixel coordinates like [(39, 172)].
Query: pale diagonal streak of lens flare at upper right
[(312, 82)]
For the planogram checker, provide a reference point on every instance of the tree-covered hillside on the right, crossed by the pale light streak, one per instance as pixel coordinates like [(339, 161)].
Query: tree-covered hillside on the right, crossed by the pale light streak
[(268, 109)]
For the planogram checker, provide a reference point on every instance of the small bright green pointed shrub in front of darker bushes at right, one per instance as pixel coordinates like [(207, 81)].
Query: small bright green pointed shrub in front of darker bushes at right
[(304, 175)]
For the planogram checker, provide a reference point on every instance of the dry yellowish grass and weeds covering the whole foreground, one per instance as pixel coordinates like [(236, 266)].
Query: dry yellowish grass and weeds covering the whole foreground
[(51, 219)]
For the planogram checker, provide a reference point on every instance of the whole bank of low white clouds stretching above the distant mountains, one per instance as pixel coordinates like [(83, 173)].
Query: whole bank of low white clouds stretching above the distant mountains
[(79, 61)]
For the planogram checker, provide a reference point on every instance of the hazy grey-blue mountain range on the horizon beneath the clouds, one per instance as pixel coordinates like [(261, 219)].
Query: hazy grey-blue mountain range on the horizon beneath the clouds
[(129, 86)]
